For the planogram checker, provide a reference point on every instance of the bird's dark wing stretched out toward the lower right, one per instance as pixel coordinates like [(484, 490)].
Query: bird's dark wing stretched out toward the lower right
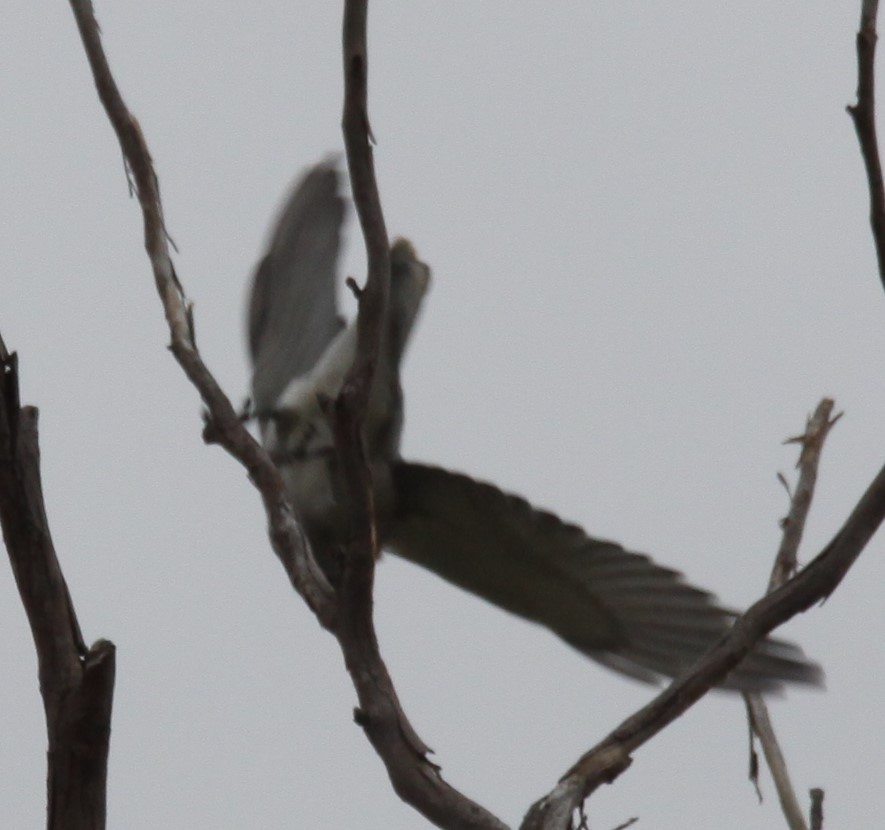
[(617, 607)]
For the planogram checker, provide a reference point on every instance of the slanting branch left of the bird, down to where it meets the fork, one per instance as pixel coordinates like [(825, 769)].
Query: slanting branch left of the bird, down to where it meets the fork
[(225, 426)]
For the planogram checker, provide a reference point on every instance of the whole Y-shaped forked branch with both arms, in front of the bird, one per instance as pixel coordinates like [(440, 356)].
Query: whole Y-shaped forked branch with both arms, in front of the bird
[(414, 778)]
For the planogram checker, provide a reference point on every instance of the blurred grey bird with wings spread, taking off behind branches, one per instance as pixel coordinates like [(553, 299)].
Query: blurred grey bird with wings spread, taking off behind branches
[(613, 605)]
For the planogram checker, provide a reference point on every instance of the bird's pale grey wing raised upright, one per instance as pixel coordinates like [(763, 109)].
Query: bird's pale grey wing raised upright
[(293, 314)]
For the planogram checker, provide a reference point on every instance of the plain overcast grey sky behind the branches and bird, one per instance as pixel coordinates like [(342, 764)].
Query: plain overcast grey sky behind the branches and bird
[(648, 230)]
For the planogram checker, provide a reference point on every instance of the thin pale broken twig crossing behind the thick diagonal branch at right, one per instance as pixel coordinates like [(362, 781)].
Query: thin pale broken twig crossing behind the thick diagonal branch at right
[(816, 430)]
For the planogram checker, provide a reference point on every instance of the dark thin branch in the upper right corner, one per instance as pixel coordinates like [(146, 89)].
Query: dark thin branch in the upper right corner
[(864, 116)]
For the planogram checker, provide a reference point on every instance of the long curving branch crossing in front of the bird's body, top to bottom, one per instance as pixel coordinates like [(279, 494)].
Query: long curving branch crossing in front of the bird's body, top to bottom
[(414, 778)]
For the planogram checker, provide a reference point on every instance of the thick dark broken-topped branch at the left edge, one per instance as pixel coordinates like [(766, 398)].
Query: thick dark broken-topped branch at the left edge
[(76, 682)]
